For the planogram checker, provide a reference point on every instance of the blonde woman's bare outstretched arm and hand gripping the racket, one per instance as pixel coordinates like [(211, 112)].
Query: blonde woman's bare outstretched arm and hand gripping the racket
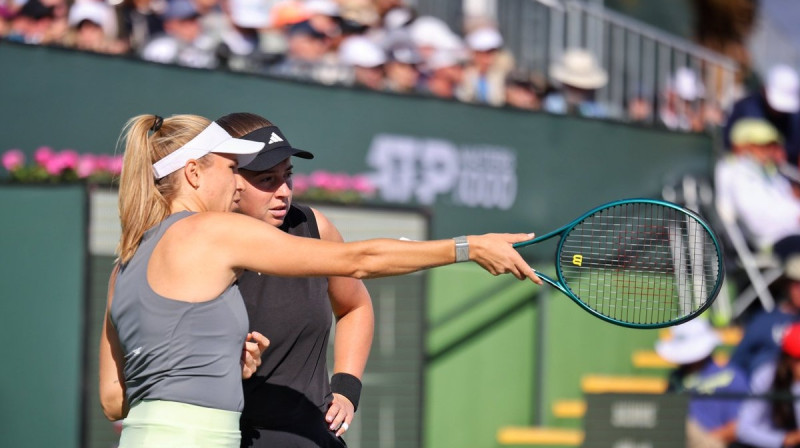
[(287, 255)]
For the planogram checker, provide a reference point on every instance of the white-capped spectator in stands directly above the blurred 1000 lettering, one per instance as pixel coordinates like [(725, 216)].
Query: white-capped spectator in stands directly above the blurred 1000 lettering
[(485, 72)]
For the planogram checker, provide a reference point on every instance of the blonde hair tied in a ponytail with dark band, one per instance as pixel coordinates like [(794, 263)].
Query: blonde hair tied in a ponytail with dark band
[(143, 202)]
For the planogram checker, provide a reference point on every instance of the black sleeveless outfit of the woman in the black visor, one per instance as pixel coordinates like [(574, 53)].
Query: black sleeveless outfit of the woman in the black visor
[(290, 391)]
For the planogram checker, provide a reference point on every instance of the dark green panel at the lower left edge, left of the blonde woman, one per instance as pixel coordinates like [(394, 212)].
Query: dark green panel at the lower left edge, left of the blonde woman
[(41, 309)]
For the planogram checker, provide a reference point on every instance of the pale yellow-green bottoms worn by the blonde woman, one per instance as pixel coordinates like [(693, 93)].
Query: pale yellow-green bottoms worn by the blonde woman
[(163, 424)]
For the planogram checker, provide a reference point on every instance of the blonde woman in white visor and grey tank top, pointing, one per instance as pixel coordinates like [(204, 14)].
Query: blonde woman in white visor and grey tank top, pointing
[(175, 320)]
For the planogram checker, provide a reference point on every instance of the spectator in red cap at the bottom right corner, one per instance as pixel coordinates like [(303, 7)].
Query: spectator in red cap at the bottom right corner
[(770, 419)]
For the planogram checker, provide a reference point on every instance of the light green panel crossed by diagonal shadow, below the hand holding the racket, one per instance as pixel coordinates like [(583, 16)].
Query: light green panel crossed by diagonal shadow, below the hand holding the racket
[(482, 356)]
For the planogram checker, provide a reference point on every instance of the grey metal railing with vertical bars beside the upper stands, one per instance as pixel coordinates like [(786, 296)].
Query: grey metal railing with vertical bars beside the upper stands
[(640, 59)]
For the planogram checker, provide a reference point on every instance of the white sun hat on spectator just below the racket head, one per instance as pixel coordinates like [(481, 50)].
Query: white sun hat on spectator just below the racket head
[(689, 342)]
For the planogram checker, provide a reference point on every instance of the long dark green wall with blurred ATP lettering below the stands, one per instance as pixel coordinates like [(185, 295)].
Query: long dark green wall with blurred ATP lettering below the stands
[(549, 168)]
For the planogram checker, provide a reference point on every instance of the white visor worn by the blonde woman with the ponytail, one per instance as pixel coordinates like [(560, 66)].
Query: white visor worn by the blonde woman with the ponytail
[(212, 139)]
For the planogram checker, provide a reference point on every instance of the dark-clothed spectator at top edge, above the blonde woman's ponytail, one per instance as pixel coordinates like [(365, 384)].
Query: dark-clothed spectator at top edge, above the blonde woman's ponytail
[(141, 20)]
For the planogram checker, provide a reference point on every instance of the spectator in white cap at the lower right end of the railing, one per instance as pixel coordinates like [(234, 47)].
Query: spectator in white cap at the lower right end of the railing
[(681, 108)]
